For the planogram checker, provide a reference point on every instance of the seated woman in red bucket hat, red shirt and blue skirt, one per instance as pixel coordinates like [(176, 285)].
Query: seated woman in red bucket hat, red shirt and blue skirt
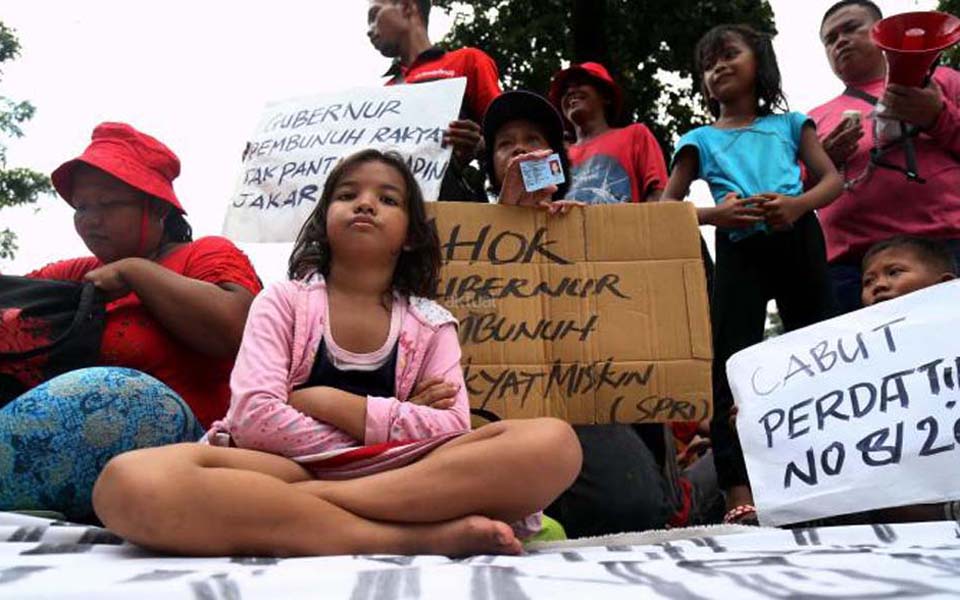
[(175, 314)]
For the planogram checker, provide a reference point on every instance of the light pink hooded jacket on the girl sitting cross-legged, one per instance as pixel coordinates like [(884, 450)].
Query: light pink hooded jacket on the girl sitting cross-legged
[(279, 346)]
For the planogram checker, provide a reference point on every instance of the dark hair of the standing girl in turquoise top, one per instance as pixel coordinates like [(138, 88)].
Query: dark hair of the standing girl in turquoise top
[(770, 96)]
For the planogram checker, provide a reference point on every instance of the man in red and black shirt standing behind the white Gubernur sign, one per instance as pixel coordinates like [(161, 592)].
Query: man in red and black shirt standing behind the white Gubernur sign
[(398, 29)]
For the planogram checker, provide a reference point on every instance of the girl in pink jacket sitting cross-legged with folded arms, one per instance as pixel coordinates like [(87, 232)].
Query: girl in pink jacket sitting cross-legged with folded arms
[(348, 429)]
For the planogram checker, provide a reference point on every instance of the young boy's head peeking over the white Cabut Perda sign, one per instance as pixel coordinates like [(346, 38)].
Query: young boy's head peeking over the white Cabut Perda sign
[(904, 264)]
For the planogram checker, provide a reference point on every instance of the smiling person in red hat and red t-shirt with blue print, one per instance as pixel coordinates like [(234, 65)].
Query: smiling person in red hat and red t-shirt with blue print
[(608, 164)]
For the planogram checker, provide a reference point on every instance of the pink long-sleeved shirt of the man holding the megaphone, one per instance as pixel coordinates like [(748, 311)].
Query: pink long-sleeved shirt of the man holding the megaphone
[(886, 203)]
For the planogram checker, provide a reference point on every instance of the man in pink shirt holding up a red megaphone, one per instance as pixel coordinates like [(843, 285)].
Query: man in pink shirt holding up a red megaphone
[(906, 180)]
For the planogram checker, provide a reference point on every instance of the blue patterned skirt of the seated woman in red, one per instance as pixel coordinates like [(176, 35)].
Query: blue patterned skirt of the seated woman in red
[(56, 438)]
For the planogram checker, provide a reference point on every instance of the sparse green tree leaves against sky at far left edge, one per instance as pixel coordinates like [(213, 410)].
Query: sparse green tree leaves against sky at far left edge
[(18, 186)]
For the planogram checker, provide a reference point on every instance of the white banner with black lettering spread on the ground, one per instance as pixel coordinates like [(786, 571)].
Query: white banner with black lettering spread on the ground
[(46, 559)]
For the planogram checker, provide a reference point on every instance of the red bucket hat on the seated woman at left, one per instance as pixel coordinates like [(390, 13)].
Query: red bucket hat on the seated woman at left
[(133, 157)]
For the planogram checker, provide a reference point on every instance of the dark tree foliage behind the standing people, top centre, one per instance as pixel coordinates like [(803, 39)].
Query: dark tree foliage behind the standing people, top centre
[(640, 41)]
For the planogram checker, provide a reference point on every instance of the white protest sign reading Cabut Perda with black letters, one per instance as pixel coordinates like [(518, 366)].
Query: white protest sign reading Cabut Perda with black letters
[(856, 413)]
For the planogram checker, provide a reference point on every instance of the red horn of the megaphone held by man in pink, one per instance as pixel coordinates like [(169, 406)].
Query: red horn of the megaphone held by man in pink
[(912, 43)]
